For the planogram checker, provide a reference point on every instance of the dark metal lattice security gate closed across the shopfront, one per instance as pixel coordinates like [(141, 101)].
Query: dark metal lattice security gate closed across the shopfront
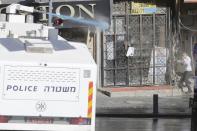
[(147, 34)]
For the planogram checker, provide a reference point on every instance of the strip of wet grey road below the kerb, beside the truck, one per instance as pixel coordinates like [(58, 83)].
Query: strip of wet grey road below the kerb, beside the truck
[(141, 124)]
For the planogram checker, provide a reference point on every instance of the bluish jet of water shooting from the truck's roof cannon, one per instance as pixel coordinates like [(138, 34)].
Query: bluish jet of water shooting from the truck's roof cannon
[(100, 24)]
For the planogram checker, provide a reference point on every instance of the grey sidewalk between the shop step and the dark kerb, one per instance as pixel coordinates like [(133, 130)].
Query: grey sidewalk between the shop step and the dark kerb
[(117, 104)]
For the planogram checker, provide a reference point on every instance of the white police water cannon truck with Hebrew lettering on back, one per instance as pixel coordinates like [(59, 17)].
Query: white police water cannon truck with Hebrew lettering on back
[(46, 82)]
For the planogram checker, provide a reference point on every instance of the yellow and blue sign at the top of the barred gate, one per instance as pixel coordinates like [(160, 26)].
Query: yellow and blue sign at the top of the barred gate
[(143, 8)]
